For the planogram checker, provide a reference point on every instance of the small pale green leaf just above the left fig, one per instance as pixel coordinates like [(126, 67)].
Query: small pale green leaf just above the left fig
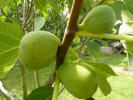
[(38, 23)]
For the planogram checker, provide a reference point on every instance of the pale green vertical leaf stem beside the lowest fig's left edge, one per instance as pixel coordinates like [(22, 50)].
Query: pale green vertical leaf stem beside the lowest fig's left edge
[(56, 87)]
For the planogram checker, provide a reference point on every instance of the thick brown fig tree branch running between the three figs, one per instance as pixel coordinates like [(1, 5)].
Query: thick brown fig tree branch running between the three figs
[(68, 37)]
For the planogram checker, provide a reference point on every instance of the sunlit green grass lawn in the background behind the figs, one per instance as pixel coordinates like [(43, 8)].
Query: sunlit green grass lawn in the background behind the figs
[(122, 85)]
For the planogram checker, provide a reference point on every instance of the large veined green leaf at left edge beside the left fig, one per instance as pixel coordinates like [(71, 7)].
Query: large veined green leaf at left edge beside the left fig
[(10, 36)]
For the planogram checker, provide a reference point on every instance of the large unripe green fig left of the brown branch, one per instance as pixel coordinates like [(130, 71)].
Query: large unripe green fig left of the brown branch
[(38, 49)]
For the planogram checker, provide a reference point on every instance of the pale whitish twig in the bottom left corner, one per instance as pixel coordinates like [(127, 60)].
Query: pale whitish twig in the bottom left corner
[(5, 92)]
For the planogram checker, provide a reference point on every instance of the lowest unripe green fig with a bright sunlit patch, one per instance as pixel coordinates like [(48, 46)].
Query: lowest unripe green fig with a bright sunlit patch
[(78, 78)]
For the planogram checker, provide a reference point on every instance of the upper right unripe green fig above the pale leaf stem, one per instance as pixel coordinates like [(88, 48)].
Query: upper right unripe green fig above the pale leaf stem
[(100, 19)]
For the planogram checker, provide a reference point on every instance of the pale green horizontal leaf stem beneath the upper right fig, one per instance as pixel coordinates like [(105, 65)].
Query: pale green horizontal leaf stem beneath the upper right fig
[(104, 35)]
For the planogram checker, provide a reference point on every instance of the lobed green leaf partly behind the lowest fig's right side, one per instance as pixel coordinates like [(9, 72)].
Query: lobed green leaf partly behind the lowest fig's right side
[(103, 72)]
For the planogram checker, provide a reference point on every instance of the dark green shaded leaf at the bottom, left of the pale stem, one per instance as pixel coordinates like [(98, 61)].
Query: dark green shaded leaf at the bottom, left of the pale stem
[(41, 93)]
